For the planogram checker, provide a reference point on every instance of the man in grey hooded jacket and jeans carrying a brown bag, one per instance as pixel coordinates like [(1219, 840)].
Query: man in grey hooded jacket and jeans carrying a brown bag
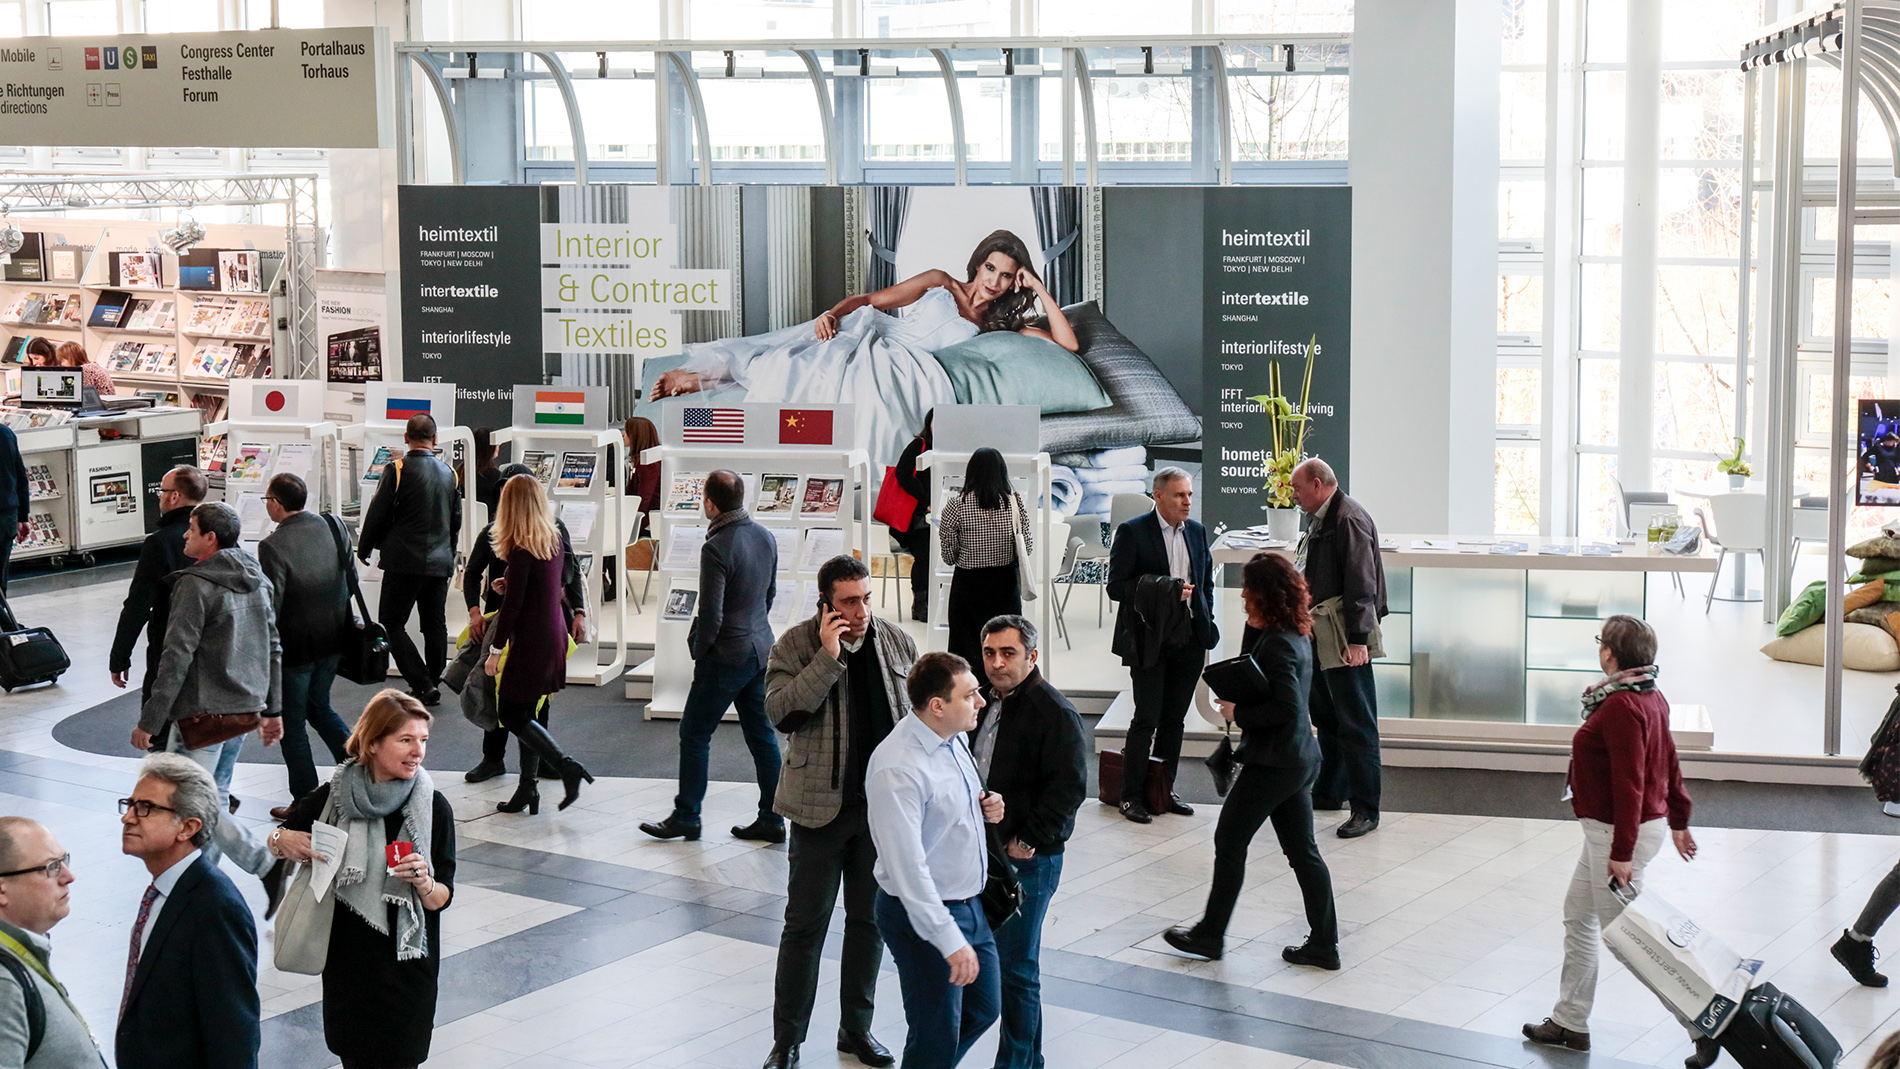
[(221, 658)]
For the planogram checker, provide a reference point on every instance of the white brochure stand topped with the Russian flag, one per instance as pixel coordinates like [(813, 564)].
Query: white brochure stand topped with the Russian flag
[(387, 411)]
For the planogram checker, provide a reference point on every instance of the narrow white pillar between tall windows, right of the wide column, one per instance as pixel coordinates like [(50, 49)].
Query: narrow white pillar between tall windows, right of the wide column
[(1643, 157)]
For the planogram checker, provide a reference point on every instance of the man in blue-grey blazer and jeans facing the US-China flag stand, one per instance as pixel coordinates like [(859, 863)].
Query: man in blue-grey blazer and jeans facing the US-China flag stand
[(731, 641)]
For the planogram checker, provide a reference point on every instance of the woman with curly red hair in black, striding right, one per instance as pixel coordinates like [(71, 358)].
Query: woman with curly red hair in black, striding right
[(1280, 762)]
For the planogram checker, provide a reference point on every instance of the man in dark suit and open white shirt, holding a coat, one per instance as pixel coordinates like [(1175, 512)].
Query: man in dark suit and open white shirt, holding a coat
[(1156, 555)]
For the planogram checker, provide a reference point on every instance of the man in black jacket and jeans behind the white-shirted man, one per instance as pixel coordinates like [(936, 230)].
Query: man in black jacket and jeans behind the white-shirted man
[(1029, 747)]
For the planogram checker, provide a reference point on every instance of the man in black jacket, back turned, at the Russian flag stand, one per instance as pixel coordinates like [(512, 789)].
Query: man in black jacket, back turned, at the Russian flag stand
[(413, 519)]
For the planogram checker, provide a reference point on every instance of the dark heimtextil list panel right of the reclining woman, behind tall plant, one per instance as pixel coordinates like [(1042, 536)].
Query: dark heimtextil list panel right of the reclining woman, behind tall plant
[(1278, 278)]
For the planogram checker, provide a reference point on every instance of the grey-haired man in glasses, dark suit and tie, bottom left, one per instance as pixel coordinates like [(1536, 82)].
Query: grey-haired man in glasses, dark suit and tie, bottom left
[(191, 971)]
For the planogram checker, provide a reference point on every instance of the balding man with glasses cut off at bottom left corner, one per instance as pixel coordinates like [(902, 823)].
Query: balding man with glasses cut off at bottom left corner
[(35, 878)]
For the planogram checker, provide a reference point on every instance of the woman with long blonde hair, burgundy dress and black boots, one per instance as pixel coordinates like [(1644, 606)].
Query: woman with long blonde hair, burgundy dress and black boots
[(533, 633)]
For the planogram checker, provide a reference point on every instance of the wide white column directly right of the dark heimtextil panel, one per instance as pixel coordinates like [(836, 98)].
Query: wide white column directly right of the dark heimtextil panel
[(1424, 172)]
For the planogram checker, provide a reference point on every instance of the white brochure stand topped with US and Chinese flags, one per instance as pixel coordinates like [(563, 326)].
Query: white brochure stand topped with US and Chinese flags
[(835, 474)]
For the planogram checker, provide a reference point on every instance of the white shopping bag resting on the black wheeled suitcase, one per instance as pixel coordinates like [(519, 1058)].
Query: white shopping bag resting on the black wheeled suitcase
[(1681, 962)]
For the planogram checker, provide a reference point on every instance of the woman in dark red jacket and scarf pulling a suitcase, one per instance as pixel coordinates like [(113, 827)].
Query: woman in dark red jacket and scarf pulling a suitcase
[(1625, 787)]
